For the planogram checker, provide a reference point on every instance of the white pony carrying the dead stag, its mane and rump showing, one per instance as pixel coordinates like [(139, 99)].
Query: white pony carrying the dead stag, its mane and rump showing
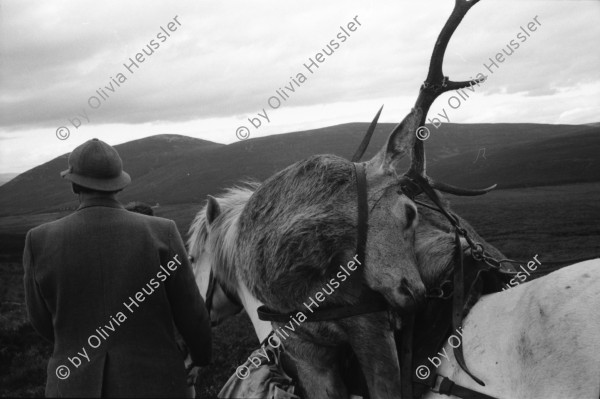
[(540, 339)]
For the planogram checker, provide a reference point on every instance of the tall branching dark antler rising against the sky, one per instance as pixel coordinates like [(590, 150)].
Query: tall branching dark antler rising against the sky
[(436, 84)]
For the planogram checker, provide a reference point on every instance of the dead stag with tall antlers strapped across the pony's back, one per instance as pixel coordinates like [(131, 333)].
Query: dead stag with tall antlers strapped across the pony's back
[(300, 225)]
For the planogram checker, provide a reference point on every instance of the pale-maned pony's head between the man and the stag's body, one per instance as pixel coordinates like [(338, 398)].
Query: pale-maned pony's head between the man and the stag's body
[(215, 280)]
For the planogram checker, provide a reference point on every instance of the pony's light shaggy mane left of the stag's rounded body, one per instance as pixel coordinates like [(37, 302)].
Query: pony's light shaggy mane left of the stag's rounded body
[(231, 202)]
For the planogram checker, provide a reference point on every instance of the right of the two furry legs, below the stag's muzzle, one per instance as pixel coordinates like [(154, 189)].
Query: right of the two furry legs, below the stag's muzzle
[(372, 340)]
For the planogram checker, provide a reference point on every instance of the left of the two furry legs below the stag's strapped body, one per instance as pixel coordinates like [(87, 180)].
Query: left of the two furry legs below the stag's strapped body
[(318, 369)]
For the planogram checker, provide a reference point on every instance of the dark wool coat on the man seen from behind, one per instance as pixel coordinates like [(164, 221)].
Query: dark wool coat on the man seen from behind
[(105, 286)]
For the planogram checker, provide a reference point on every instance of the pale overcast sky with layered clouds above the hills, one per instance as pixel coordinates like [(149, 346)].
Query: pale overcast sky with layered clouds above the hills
[(223, 61)]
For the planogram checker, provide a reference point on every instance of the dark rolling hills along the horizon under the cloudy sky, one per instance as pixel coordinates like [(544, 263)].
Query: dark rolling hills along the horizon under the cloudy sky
[(171, 169)]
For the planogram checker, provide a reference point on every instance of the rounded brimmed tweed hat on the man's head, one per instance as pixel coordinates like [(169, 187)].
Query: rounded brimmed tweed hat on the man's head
[(98, 166)]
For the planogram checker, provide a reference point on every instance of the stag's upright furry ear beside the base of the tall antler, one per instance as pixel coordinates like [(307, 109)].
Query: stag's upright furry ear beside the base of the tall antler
[(399, 144)]
